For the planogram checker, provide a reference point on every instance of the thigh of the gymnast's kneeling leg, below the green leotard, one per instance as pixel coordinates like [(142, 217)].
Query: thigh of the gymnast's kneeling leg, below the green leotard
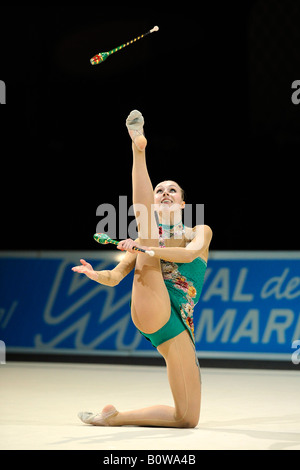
[(184, 377)]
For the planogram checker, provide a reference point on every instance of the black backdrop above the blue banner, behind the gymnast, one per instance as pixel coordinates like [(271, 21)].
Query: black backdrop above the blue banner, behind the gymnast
[(215, 88)]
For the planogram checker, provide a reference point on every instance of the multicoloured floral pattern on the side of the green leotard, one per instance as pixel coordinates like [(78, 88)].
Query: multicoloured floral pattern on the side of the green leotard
[(171, 273)]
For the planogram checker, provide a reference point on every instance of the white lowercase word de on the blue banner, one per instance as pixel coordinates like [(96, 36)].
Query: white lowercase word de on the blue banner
[(276, 286)]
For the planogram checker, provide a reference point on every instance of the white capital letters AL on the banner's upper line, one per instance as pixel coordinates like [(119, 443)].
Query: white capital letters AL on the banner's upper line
[(220, 287)]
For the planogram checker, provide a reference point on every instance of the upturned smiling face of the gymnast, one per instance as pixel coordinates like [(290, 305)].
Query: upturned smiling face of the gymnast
[(168, 198)]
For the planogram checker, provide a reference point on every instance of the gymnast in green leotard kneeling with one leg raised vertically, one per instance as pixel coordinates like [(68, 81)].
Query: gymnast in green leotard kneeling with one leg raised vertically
[(166, 288)]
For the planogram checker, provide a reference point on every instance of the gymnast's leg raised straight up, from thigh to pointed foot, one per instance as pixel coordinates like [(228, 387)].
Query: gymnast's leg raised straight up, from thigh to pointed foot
[(150, 299)]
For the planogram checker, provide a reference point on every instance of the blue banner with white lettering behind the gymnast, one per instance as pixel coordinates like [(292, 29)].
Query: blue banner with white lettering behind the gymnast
[(249, 307)]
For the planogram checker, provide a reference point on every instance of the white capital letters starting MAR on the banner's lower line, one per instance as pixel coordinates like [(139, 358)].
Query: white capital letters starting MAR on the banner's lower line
[(225, 329)]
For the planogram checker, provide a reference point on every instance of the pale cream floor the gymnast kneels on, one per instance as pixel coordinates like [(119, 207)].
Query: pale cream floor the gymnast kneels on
[(241, 409)]
